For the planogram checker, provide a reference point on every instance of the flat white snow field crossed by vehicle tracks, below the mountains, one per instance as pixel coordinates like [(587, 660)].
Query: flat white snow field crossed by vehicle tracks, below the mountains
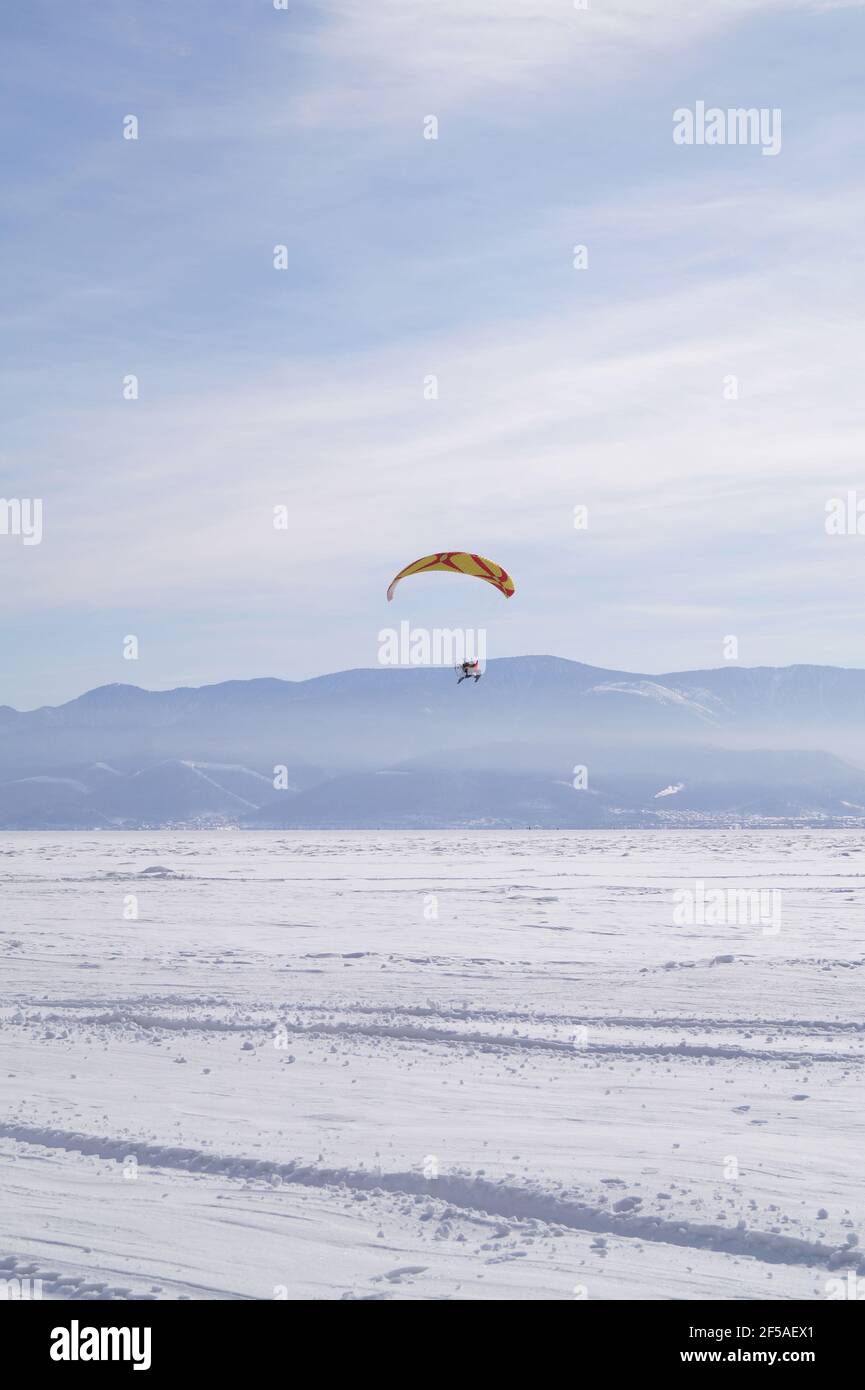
[(437, 1065)]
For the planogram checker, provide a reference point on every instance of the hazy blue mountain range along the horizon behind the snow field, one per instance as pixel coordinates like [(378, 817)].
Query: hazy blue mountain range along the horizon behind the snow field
[(539, 742)]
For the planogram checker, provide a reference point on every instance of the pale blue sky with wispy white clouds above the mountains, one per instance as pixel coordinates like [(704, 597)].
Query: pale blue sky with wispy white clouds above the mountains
[(695, 383)]
